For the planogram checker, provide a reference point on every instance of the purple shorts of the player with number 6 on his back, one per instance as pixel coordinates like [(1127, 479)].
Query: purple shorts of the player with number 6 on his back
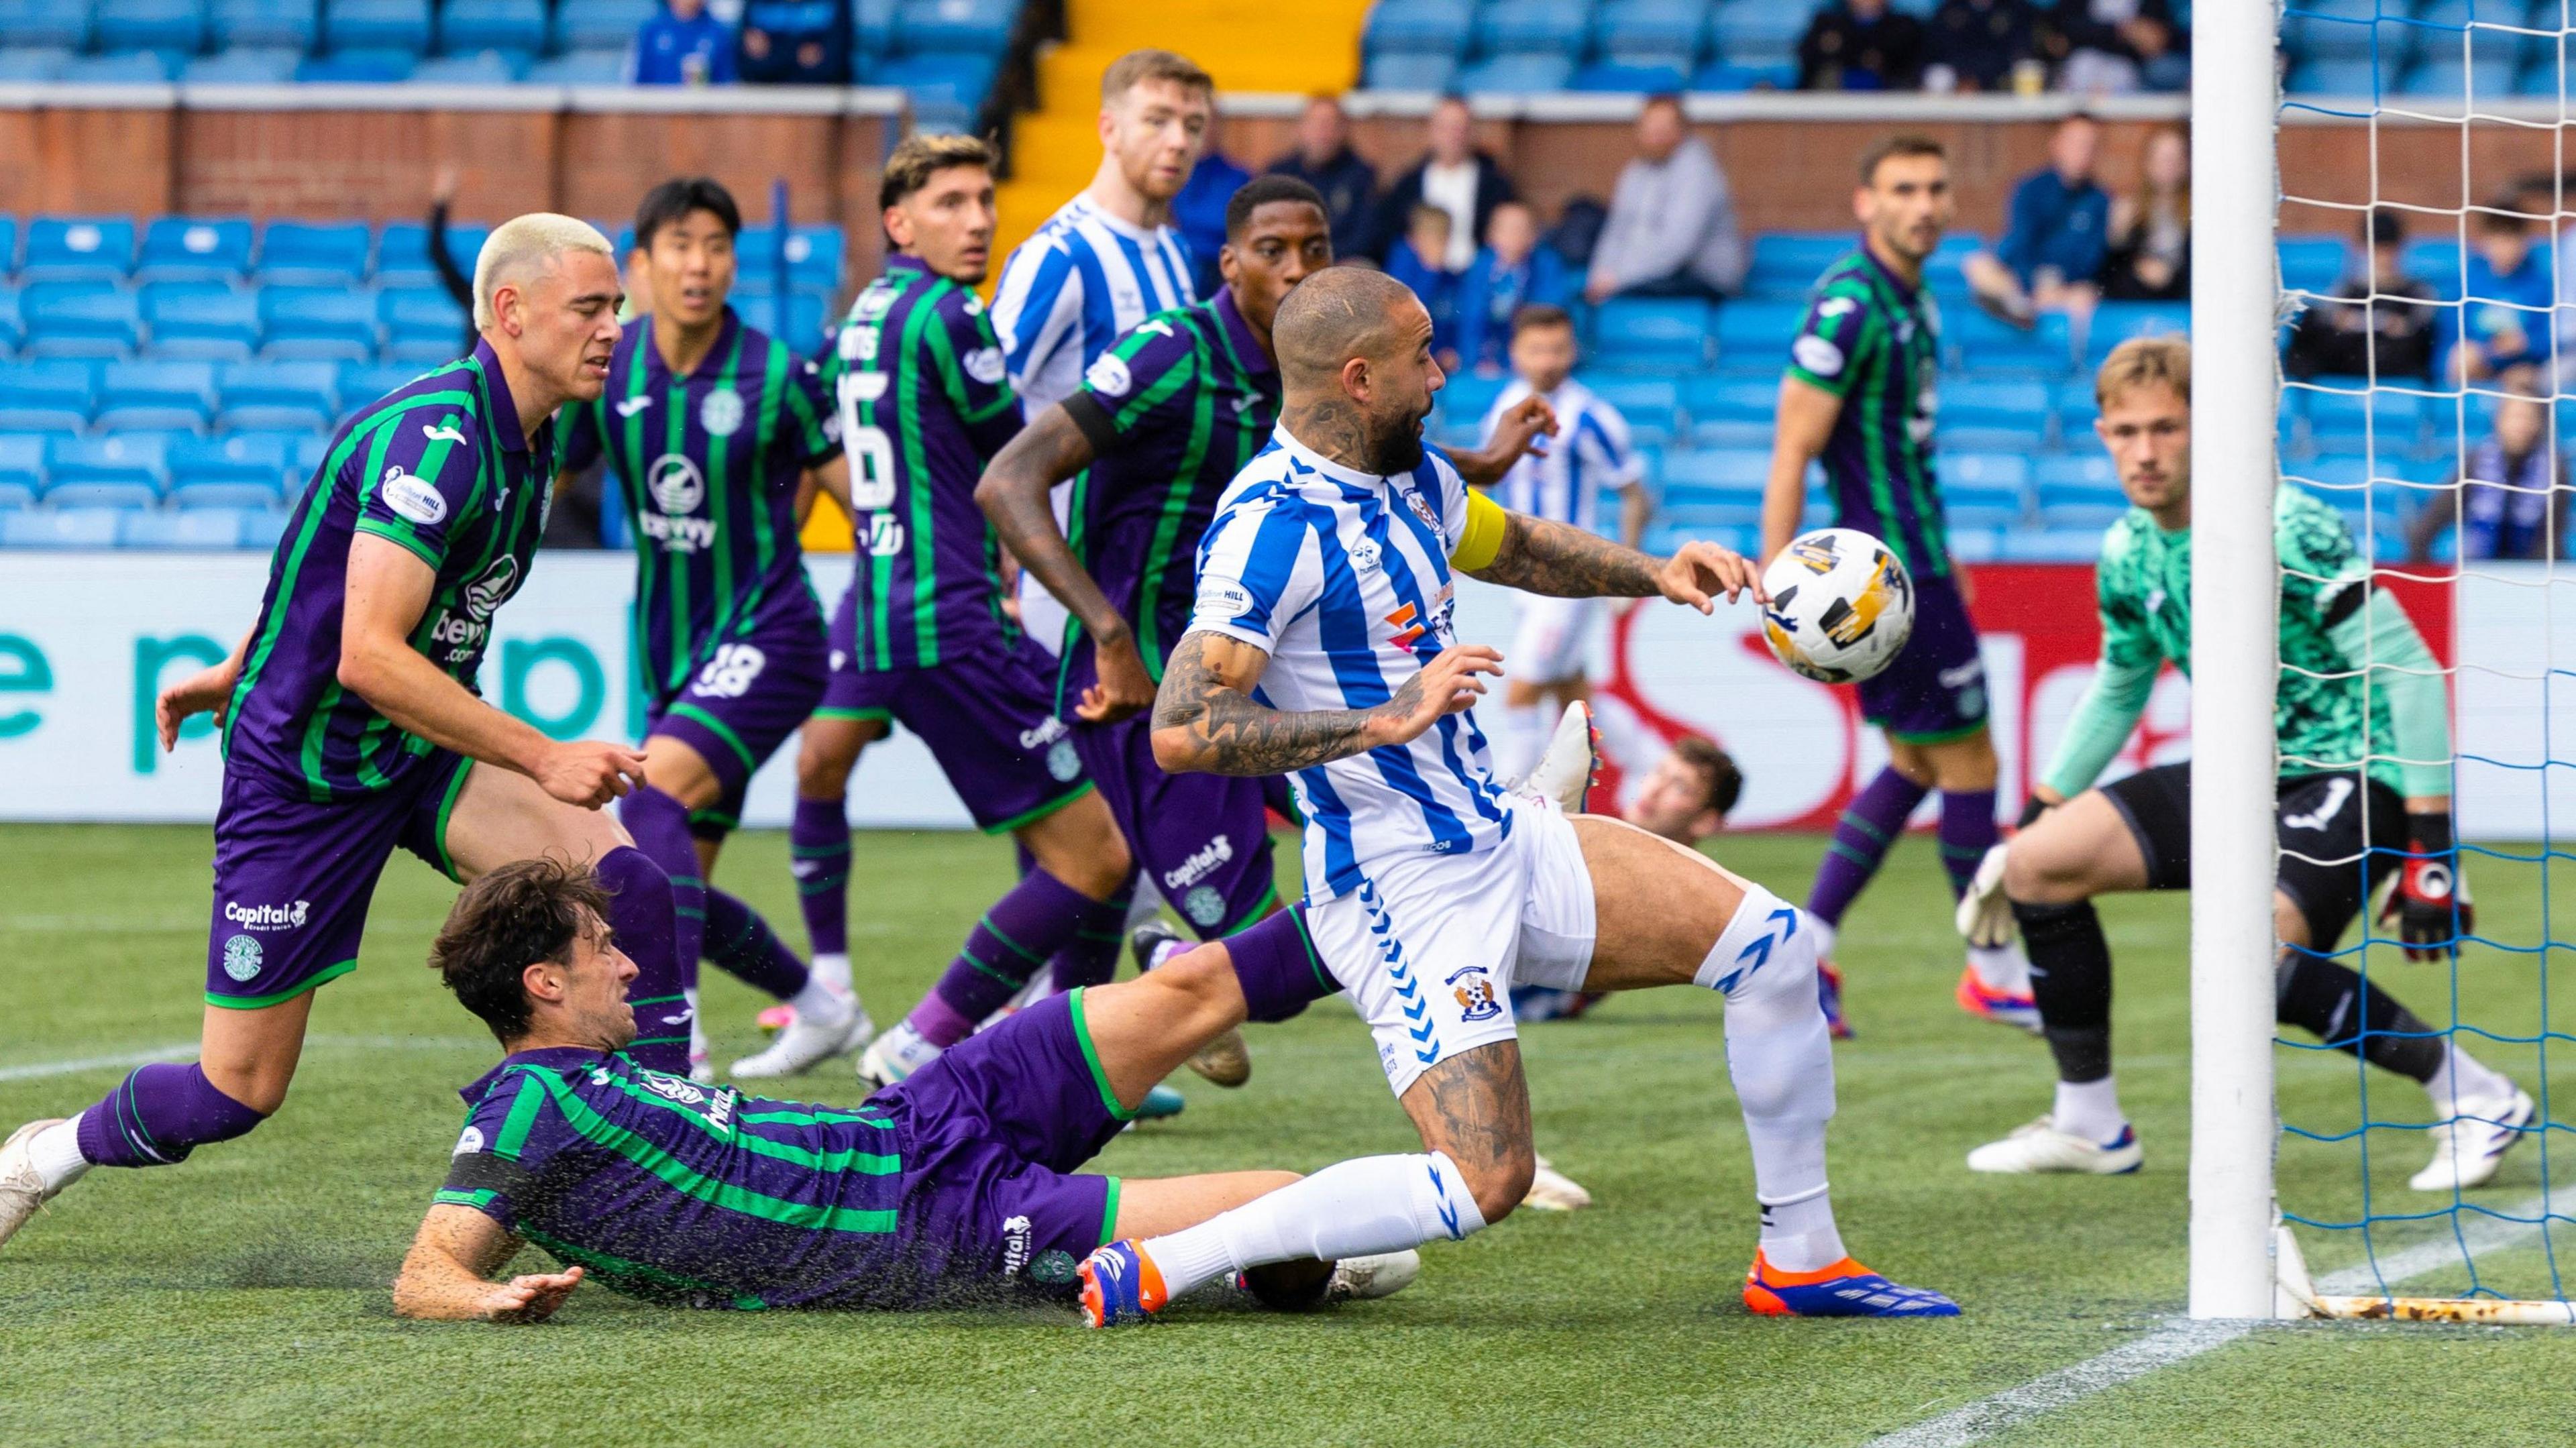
[(985, 718)]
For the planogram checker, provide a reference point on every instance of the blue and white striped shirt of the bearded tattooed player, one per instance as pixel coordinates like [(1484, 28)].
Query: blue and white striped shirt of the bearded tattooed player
[(1343, 578)]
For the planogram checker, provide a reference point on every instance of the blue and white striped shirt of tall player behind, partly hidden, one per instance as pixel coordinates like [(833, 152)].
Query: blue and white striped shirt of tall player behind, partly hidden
[(1073, 287)]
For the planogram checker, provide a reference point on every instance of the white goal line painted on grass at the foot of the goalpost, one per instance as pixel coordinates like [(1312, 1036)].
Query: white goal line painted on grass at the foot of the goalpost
[(2188, 1338)]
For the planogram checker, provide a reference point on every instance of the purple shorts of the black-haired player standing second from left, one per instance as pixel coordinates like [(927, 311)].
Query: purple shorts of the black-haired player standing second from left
[(741, 705)]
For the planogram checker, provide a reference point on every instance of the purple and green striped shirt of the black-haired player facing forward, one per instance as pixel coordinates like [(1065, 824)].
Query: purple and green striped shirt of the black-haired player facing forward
[(710, 468)]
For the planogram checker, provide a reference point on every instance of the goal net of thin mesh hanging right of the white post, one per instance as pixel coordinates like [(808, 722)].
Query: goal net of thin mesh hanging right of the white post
[(2428, 377)]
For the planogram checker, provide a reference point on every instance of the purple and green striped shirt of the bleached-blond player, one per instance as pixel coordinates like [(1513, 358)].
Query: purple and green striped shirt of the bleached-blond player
[(442, 470)]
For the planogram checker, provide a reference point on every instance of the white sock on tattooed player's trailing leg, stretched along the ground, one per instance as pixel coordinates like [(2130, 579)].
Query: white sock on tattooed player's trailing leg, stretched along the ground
[(1349, 1210)]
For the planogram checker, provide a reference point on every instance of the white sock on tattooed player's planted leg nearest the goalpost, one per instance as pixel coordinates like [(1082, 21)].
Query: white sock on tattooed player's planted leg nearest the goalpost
[(1781, 1060)]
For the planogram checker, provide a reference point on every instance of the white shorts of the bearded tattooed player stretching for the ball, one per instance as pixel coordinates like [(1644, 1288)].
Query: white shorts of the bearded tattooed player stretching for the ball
[(1431, 947)]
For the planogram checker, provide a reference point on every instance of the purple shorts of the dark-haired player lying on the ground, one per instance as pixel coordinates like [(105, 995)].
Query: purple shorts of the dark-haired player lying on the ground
[(996, 1130)]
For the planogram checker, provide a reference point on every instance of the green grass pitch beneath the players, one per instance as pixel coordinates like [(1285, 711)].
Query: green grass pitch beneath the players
[(243, 1297)]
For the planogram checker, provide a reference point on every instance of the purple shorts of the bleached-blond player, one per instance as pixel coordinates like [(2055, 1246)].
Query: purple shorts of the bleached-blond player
[(292, 880)]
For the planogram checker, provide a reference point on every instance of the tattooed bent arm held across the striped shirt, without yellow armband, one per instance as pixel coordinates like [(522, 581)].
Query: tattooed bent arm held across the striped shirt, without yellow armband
[(1209, 723)]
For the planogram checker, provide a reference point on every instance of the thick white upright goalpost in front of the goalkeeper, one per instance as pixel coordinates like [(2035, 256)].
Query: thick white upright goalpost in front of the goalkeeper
[(2235, 653)]
